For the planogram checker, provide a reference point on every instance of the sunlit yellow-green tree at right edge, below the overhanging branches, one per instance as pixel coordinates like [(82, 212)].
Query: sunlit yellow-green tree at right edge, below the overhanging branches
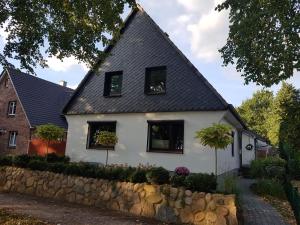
[(284, 121)]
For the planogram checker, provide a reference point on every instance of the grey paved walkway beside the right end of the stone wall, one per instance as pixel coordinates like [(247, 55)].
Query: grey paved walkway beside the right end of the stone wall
[(255, 210)]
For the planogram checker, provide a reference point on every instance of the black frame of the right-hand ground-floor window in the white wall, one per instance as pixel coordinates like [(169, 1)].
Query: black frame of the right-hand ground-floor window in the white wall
[(170, 150)]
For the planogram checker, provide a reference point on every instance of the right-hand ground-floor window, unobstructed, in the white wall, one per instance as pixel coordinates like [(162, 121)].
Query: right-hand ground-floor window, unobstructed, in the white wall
[(166, 136)]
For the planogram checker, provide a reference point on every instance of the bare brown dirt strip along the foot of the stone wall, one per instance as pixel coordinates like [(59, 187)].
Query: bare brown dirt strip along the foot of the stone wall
[(55, 212)]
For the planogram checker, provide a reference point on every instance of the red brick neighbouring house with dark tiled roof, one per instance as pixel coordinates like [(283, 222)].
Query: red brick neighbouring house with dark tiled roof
[(27, 101)]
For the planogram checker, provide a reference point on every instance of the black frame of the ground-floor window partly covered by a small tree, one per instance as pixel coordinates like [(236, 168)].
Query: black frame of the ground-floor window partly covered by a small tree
[(99, 147)]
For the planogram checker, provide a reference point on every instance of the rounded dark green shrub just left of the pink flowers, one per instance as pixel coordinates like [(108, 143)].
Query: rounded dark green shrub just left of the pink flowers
[(158, 175)]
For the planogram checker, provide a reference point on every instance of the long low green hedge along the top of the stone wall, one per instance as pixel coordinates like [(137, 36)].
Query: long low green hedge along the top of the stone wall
[(155, 175)]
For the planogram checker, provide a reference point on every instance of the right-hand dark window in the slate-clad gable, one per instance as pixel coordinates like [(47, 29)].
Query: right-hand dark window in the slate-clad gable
[(156, 80)]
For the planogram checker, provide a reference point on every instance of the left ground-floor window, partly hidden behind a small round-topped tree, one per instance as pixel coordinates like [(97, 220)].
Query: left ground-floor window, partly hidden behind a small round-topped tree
[(95, 128)]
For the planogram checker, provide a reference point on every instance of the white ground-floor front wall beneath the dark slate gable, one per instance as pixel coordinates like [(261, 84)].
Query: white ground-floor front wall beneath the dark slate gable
[(132, 131)]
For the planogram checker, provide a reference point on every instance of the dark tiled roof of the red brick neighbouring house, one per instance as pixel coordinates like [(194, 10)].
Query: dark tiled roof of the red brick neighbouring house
[(42, 100)]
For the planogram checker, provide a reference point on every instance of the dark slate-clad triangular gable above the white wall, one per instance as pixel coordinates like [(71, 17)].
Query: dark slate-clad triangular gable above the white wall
[(143, 44)]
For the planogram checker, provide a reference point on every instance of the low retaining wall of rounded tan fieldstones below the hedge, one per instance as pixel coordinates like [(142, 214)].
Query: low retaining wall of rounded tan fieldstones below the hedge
[(162, 202)]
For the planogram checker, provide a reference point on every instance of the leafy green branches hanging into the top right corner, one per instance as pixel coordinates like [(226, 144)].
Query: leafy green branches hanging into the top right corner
[(263, 39)]
